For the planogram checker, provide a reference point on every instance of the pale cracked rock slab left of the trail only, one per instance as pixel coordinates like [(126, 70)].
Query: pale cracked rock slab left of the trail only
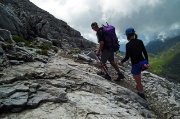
[(65, 89)]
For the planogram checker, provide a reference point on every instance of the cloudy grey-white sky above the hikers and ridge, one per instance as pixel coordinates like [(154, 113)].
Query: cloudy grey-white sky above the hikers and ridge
[(149, 18)]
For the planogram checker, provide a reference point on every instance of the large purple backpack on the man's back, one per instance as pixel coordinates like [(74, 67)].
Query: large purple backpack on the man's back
[(111, 38)]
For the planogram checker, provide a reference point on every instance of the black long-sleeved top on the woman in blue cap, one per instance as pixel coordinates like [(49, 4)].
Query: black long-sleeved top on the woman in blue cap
[(135, 50)]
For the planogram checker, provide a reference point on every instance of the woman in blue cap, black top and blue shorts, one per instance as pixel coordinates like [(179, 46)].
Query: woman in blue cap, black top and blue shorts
[(135, 50)]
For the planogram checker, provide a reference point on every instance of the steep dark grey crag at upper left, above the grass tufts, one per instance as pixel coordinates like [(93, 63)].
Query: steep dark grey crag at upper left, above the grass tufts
[(21, 17)]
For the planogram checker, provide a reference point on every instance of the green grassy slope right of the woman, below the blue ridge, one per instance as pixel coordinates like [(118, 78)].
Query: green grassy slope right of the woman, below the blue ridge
[(167, 62)]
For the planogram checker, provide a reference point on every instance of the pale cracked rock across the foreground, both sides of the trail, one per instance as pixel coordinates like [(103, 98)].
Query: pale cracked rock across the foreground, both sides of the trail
[(62, 88)]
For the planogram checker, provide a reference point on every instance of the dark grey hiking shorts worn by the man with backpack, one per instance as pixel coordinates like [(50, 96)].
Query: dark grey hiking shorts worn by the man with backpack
[(107, 55)]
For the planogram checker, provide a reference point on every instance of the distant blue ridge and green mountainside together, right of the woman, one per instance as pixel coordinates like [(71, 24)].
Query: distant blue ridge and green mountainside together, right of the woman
[(165, 57)]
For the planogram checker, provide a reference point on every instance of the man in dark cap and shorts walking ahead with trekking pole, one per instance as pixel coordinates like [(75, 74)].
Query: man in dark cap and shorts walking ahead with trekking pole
[(104, 52)]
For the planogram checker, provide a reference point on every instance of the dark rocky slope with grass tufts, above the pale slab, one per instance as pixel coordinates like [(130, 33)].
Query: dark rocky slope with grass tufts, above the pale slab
[(27, 31)]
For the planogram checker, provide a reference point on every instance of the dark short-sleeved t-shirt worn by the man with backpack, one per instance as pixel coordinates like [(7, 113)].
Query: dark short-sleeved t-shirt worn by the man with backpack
[(100, 37)]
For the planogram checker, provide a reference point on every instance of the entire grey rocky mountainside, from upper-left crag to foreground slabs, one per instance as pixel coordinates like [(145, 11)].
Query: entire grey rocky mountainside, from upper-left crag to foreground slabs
[(48, 70)]
